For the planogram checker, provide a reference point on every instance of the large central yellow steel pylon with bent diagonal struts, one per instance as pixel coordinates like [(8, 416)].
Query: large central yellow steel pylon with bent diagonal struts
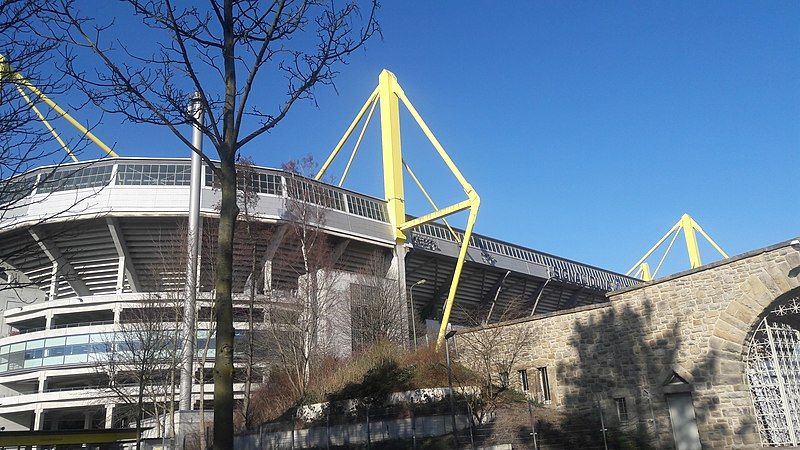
[(389, 94)]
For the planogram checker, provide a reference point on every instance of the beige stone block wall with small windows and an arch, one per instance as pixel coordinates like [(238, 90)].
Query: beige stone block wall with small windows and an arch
[(694, 324)]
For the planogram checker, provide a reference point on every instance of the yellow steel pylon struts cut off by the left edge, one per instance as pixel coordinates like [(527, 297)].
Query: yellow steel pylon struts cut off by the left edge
[(6, 71)]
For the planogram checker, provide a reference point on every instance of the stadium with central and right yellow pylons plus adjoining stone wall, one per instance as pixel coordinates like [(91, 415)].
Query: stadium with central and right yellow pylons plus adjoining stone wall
[(93, 250)]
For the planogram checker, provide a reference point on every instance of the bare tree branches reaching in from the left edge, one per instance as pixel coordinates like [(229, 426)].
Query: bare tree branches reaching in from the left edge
[(26, 59)]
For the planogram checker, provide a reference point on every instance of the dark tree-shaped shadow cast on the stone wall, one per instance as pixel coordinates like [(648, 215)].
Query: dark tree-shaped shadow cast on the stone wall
[(617, 357)]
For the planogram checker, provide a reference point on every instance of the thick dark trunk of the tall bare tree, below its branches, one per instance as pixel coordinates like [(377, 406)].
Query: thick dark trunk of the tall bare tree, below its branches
[(223, 361)]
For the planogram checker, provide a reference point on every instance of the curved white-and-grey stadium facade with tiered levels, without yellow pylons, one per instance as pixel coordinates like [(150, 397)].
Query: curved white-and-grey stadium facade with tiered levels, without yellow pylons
[(82, 247)]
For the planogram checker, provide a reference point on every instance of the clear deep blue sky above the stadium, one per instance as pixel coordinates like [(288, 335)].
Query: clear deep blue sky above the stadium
[(588, 128)]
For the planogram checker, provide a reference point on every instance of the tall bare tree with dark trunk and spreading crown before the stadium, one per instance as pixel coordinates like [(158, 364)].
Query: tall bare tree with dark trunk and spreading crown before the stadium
[(224, 52)]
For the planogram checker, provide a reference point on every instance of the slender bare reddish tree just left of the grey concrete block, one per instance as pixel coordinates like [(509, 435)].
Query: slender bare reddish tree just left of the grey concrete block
[(303, 320)]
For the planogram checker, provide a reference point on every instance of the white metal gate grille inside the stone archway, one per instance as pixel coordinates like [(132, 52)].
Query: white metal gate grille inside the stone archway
[(773, 371)]
